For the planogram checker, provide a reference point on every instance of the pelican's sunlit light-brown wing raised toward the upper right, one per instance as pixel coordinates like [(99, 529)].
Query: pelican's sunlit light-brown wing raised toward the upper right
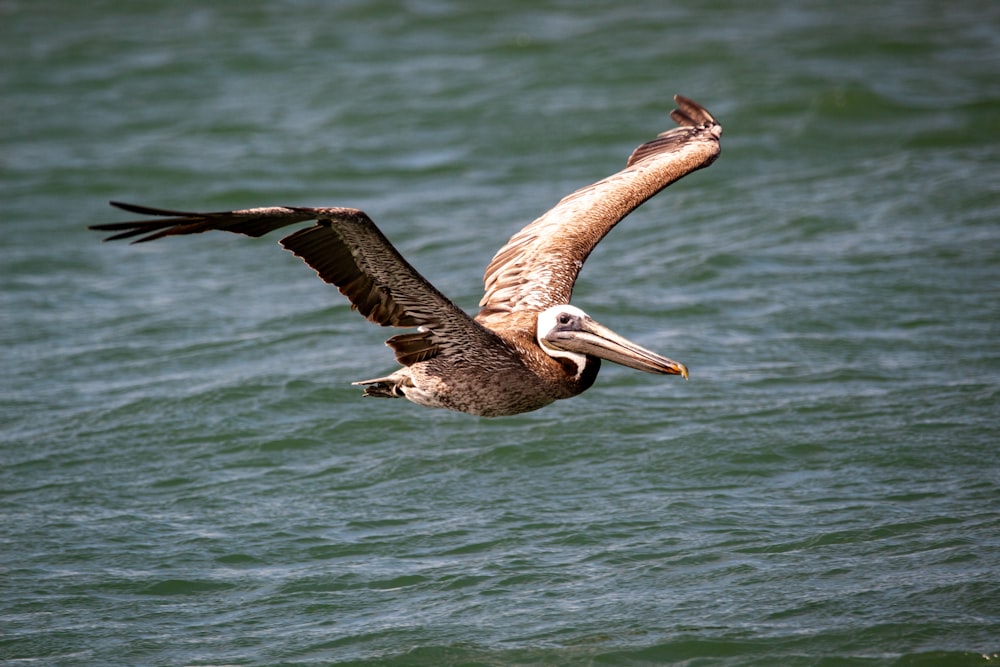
[(539, 265)]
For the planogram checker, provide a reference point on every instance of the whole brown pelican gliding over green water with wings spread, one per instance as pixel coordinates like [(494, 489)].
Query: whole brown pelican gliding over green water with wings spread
[(527, 346)]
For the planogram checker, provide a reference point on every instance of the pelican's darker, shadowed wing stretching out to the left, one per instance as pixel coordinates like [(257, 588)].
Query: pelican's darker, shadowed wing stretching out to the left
[(346, 249)]
